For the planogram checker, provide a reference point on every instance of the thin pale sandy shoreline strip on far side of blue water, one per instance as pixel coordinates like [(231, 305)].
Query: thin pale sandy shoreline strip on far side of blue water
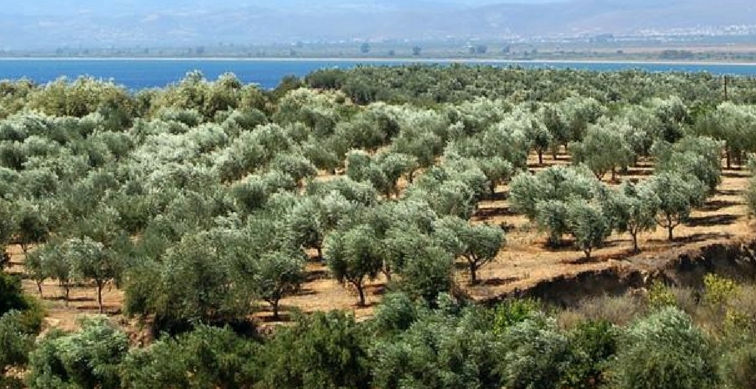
[(384, 60)]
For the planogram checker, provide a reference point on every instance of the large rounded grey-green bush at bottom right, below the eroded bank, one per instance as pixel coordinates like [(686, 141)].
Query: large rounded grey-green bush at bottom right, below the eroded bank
[(664, 350)]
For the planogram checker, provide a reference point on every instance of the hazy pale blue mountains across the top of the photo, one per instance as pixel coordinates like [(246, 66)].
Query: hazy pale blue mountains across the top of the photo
[(47, 24)]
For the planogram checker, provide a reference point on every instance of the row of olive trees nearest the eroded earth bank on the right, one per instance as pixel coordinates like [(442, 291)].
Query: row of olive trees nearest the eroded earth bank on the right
[(567, 200)]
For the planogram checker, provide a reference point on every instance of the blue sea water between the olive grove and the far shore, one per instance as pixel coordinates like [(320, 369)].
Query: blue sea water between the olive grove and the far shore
[(137, 74)]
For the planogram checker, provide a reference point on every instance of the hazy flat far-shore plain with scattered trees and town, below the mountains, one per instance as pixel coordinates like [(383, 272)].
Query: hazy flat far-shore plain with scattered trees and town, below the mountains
[(735, 43)]
